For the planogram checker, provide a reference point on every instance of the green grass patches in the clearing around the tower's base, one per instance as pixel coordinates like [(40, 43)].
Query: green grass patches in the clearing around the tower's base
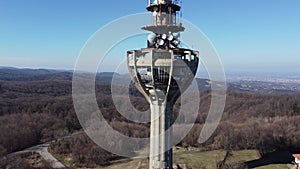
[(195, 159)]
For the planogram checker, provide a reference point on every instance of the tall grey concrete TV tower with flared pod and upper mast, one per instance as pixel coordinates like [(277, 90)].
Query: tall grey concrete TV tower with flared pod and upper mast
[(162, 72)]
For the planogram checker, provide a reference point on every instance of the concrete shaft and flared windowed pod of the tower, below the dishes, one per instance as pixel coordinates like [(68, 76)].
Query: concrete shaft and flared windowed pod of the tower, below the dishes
[(161, 75)]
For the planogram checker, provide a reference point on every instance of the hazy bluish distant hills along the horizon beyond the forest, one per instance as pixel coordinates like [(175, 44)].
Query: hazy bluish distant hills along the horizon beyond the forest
[(253, 85)]
